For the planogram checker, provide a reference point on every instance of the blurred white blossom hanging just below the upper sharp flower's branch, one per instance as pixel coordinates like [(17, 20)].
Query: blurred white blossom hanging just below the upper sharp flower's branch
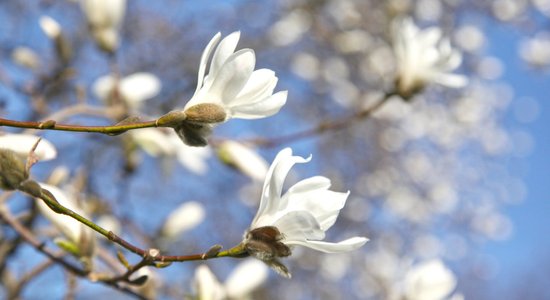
[(157, 143)]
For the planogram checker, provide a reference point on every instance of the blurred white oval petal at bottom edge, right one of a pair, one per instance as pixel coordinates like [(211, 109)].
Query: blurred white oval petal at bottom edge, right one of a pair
[(245, 278)]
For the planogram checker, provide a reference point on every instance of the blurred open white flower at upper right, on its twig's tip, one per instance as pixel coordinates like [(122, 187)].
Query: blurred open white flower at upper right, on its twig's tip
[(423, 57)]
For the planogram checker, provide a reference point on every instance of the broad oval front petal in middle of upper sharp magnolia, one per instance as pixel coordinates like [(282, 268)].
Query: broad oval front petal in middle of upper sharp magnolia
[(232, 77)]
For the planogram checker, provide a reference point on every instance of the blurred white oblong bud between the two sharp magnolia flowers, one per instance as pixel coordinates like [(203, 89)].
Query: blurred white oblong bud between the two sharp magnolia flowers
[(243, 159)]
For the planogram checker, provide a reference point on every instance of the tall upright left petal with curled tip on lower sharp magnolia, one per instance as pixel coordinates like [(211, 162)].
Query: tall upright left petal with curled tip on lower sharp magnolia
[(273, 184)]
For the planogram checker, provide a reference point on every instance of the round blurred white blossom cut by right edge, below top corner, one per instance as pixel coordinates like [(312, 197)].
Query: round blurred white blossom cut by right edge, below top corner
[(535, 51)]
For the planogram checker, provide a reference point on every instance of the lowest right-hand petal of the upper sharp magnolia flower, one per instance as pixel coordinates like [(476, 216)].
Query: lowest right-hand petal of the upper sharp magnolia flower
[(264, 108)]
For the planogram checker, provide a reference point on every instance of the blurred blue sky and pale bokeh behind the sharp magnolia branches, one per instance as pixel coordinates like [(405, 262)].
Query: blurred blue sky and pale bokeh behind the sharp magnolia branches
[(454, 176)]
